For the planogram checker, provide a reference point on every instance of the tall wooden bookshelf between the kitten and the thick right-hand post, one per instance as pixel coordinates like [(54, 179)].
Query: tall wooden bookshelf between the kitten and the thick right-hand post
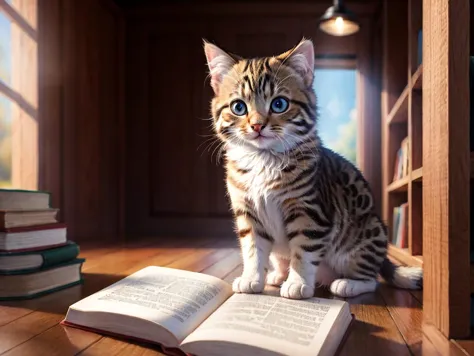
[(402, 85)]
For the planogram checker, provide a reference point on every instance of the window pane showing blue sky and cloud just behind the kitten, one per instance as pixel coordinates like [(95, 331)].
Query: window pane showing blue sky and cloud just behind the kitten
[(336, 92)]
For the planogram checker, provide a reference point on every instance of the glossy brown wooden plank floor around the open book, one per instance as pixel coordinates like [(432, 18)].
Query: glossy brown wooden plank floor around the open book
[(388, 322)]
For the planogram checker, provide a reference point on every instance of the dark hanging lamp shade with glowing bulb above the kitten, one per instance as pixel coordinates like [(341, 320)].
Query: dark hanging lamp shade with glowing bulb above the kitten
[(338, 20)]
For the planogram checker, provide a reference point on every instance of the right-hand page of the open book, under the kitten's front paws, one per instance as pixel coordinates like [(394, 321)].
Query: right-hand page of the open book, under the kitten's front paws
[(272, 323)]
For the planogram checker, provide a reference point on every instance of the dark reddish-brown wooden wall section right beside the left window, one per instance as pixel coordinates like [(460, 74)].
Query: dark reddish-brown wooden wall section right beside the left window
[(81, 113)]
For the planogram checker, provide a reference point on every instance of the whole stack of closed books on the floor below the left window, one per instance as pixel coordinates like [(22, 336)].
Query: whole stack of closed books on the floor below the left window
[(35, 256)]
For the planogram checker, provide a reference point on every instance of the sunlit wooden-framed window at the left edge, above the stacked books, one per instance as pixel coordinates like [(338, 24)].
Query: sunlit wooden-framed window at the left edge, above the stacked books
[(18, 94)]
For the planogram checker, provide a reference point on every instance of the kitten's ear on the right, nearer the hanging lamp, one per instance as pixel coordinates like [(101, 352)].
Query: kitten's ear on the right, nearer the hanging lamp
[(301, 59)]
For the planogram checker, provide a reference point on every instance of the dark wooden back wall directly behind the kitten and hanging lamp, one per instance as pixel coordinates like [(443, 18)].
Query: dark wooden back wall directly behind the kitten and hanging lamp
[(173, 184)]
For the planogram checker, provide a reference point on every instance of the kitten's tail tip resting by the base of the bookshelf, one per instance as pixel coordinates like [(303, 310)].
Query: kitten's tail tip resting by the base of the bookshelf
[(401, 276)]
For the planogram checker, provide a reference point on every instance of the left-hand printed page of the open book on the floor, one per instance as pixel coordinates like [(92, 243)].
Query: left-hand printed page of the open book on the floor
[(175, 299)]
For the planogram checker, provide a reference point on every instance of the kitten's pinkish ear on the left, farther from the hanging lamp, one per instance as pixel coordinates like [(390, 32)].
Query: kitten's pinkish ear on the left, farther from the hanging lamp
[(219, 63)]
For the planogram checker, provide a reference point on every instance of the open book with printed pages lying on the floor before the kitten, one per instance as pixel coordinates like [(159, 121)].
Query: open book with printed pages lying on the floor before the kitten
[(198, 314)]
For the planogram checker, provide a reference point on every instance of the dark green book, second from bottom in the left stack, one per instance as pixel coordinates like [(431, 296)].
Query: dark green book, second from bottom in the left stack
[(31, 261)]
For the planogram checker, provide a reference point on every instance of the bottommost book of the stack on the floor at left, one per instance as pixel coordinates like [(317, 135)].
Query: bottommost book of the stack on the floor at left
[(44, 281)]
